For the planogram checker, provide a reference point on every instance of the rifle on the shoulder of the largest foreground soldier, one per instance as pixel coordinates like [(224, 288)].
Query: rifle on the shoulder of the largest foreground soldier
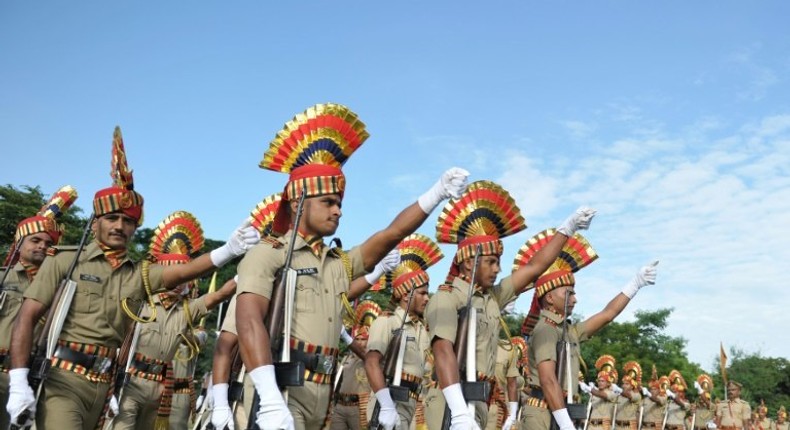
[(278, 322)]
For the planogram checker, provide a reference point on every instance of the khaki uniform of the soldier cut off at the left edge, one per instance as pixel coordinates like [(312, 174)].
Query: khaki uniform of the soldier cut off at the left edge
[(13, 287)]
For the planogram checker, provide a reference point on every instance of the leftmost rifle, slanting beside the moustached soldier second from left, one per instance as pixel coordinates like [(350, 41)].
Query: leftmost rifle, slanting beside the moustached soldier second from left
[(48, 339)]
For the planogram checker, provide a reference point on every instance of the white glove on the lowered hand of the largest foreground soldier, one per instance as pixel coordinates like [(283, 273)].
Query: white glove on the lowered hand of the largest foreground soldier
[(273, 413)]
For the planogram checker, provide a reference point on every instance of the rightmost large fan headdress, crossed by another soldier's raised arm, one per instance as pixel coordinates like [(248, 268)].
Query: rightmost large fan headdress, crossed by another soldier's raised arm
[(576, 254)]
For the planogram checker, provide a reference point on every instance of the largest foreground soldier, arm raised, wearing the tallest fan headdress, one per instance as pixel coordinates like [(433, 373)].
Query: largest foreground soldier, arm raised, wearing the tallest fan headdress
[(312, 148)]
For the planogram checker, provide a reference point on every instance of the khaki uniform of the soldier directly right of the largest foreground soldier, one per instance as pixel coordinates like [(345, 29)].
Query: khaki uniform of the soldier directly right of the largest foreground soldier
[(442, 318)]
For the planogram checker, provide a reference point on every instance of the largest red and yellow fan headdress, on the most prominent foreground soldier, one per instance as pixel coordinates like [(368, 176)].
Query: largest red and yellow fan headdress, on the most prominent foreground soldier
[(312, 148)]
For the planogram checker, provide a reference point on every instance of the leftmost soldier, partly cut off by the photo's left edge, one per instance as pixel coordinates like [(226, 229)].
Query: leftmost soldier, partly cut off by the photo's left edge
[(32, 241)]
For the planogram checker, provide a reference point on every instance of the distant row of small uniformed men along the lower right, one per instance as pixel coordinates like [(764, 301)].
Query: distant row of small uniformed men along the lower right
[(663, 404)]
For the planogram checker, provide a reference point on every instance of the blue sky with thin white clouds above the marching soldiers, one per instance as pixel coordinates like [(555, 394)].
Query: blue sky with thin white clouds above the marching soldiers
[(670, 118)]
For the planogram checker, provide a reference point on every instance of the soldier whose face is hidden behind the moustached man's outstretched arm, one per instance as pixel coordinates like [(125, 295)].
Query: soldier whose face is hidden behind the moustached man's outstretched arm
[(147, 398)]
